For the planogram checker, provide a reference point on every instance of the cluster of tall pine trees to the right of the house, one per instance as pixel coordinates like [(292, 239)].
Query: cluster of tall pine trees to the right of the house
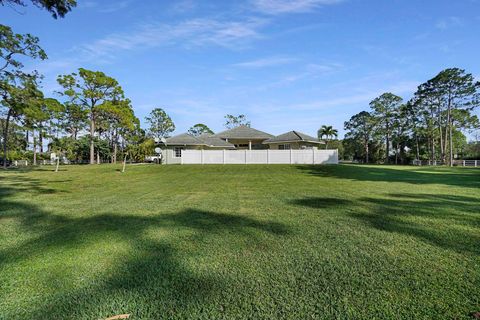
[(430, 126)]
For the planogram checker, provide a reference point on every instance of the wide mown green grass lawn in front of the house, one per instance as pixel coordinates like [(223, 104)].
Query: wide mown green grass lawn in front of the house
[(232, 242)]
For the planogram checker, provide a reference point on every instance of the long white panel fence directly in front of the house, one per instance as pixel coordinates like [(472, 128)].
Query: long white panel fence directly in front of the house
[(307, 156)]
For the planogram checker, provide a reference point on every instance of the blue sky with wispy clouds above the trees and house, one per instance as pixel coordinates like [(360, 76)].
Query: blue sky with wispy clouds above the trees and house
[(287, 65)]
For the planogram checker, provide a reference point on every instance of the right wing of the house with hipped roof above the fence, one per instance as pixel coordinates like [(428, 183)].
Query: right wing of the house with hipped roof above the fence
[(292, 140)]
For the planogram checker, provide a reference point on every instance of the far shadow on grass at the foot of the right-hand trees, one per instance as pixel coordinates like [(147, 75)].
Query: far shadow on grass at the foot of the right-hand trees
[(461, 177)]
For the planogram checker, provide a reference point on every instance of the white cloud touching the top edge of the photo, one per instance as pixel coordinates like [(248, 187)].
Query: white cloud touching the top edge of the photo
[(290, 6)]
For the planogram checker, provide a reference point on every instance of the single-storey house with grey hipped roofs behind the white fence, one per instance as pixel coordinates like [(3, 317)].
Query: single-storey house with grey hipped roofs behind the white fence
[(238, 138)]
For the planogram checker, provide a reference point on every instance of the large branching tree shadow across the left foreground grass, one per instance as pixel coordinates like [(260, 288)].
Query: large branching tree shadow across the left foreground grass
[(151, 281)]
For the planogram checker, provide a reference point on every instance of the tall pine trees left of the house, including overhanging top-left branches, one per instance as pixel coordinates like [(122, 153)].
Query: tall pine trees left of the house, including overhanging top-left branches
[(90, 117)]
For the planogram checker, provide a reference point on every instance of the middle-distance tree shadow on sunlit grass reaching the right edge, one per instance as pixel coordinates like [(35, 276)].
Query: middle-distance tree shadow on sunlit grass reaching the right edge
[(446, 221)]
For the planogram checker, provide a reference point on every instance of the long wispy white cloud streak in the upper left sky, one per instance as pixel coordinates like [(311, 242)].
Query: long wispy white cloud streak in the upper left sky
[(194, 32)]
